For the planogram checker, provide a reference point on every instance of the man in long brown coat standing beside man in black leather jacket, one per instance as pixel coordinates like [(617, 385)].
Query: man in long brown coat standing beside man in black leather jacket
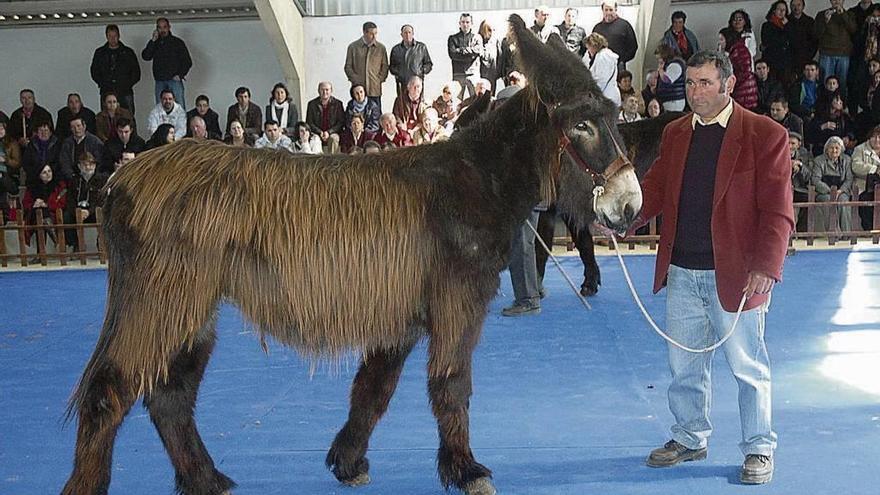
[(366, 63)]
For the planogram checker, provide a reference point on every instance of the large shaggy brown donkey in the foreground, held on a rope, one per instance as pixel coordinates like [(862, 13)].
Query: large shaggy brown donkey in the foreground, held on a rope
[(329, 254)]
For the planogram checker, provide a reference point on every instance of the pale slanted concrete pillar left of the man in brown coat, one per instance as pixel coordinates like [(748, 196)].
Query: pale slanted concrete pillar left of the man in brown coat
[(284, 26)]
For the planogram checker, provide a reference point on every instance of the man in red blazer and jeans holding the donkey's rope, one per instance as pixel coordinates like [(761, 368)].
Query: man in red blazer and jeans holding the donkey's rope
[(723, 184)]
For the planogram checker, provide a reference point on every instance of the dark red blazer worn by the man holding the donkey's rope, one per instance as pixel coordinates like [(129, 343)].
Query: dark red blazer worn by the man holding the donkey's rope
[(752, 213)]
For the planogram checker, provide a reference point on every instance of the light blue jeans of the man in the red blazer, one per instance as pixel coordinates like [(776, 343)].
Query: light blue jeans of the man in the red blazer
[(695, 318)]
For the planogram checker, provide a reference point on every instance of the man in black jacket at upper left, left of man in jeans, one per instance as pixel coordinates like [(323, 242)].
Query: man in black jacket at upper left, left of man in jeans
[(115, 69)]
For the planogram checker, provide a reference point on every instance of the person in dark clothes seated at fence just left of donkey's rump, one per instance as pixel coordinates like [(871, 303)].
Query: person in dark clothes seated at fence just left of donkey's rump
[(84, 195)]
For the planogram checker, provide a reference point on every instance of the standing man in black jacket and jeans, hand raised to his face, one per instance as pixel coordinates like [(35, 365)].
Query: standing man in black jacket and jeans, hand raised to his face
[(171, 61)]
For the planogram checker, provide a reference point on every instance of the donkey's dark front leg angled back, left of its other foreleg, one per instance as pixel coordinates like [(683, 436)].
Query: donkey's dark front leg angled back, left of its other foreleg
[(371, 392)]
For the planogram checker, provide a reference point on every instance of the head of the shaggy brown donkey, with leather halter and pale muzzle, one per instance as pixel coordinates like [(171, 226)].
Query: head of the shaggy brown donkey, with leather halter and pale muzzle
[(594, 174)]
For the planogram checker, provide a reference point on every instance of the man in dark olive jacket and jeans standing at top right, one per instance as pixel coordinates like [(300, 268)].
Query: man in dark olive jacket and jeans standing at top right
[(835, 28)]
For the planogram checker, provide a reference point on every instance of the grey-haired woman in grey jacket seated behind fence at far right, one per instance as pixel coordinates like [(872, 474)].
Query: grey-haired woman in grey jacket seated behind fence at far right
[(832, 168)]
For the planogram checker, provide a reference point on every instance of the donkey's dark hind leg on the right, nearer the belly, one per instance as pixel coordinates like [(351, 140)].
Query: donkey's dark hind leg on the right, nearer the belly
[(171, 404)]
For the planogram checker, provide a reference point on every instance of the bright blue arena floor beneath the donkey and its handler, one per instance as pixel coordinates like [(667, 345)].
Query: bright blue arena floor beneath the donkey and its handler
[(567, 402)]
